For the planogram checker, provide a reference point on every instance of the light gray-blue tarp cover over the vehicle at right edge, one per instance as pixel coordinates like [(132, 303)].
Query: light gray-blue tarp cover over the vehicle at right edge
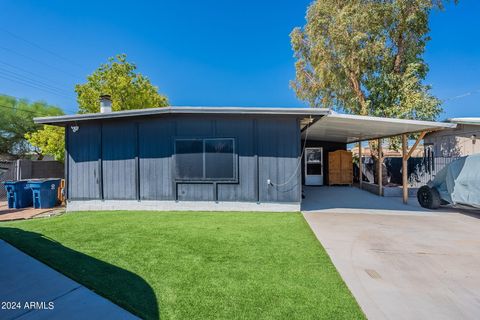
[(459, 182)]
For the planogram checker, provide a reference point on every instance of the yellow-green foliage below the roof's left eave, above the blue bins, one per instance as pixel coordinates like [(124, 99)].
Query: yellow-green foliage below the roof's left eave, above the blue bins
[(49, 140)]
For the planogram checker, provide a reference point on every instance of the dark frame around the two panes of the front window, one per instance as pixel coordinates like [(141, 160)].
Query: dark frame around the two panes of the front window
[(234, 179)]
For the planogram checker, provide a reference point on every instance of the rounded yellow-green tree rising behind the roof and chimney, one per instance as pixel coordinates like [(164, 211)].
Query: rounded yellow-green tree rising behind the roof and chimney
[(118, 78)]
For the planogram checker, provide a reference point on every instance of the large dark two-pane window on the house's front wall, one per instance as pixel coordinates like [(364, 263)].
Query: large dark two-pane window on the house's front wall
[(205, 159)]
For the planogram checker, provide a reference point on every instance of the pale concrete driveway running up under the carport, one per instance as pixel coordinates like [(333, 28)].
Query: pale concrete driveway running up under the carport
[(400, 262)]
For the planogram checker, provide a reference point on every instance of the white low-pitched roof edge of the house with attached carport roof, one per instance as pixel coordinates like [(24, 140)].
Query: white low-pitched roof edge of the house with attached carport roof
[(316, 123)]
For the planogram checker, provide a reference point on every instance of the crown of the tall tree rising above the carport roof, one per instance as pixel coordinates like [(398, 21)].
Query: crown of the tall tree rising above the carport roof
[(366, 57)]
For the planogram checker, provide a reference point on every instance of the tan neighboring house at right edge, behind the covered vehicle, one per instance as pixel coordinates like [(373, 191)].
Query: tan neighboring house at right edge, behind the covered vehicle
[(455, 142)]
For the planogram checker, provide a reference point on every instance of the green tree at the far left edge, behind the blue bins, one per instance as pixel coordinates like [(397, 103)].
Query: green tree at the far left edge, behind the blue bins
[(16, 120)]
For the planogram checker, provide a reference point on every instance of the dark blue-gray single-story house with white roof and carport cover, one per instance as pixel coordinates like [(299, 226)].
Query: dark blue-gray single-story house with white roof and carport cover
[(207, 158)]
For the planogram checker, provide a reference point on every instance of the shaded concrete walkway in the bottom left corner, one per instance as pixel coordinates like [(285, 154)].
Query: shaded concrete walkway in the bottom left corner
[(34, 288)]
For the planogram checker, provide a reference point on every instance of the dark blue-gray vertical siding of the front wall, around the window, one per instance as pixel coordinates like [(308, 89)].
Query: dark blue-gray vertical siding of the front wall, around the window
[(137, 159)]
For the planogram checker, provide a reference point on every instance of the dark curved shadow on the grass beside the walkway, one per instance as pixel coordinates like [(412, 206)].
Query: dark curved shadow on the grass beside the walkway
[(122, 287)]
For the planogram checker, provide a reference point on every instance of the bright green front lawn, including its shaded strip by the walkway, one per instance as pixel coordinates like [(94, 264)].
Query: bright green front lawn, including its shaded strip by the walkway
[(193, 265)]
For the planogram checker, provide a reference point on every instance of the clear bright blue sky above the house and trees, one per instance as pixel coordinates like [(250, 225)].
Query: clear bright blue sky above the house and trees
[(209, 52)]
